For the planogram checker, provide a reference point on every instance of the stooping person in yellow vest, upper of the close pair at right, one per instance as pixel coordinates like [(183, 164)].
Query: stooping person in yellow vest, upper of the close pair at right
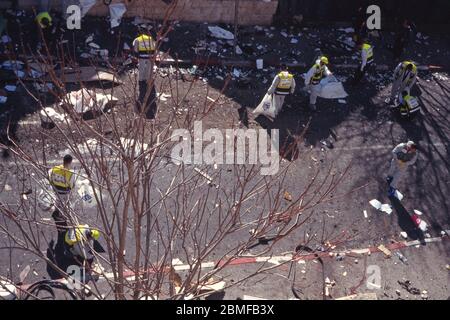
[(405, 76)]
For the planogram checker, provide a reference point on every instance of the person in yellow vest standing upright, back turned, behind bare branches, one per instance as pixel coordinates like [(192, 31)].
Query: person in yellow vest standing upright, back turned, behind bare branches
[(144, 47)]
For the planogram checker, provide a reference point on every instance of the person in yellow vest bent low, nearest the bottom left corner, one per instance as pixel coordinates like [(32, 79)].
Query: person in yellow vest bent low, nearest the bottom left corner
[(80, 241)]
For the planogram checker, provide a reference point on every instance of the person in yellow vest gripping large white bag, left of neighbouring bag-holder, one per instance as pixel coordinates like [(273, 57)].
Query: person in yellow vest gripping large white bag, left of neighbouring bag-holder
[(282, 85)]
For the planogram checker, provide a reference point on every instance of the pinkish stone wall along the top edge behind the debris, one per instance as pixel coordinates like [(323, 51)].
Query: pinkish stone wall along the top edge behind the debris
[(251, 12)]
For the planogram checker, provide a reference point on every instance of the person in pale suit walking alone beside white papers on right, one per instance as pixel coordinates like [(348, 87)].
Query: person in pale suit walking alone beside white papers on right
[(404, 156)]
